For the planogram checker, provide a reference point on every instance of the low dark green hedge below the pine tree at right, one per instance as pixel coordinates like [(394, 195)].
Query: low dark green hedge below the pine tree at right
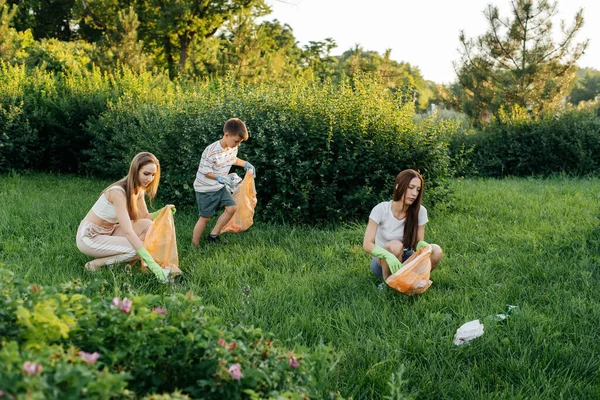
[(518, 145)]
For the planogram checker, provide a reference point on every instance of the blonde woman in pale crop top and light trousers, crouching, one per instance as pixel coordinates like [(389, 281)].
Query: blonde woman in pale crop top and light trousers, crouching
[(116, 226)]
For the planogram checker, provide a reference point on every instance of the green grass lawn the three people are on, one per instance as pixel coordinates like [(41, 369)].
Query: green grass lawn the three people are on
[(530, 243)]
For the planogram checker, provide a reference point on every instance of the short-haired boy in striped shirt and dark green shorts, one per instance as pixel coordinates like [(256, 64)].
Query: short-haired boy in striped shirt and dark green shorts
[(210, 185)]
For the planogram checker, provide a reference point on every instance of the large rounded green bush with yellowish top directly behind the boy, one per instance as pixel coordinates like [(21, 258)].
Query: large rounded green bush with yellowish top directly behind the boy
[(323, 152)]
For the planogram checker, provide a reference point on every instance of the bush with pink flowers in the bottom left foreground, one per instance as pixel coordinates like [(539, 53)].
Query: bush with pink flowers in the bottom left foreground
[(59, 342)]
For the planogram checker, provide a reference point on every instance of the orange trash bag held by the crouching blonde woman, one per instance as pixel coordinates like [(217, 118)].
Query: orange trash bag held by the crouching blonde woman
[(162, 244)]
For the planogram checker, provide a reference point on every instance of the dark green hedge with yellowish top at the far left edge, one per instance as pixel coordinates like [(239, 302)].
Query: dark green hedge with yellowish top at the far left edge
[(52, 109)]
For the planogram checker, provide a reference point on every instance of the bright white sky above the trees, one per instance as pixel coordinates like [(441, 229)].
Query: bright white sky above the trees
[(423, 33)]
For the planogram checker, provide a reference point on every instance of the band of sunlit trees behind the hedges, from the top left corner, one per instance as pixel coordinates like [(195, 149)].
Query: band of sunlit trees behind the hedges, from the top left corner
[(188, 39)]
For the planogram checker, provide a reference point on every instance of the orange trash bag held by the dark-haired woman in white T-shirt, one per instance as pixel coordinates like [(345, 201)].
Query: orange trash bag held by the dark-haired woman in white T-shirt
[(413, 277)]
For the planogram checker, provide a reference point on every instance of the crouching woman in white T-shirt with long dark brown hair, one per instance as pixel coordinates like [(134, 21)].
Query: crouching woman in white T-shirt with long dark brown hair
[(395, 227)]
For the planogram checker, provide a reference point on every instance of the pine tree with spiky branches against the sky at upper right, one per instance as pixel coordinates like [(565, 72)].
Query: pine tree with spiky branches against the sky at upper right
[(517, 62)]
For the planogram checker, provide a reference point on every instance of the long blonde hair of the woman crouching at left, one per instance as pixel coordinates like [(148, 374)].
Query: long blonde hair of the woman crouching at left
[(131, 182)]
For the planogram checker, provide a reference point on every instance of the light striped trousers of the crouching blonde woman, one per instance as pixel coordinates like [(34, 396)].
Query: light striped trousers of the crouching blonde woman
[(106, 243)]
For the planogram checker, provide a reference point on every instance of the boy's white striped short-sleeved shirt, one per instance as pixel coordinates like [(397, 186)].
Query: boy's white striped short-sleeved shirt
[(217, 160)]
